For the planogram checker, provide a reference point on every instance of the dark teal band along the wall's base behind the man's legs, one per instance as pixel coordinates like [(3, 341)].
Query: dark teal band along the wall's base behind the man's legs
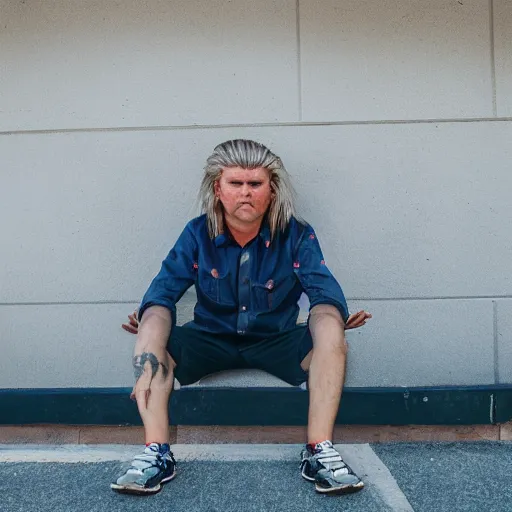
[(260, 406)]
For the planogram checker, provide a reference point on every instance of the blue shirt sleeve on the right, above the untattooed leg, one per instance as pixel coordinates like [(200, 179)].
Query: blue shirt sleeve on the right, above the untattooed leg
[(319, 284)]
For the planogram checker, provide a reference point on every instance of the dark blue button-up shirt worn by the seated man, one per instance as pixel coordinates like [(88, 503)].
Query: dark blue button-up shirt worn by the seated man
[(251, 290)]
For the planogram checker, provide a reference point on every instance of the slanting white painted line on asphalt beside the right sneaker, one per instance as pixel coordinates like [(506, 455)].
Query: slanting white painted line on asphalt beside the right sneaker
[(367, 464)]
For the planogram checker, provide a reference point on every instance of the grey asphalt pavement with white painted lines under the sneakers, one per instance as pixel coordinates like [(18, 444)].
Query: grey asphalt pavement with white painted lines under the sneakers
[(421, 477)]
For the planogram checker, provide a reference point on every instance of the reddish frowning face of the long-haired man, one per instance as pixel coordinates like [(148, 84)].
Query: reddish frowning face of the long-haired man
[(244, 193)]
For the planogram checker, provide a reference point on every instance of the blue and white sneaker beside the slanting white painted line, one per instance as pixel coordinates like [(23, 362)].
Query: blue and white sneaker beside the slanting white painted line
[(324, 466)]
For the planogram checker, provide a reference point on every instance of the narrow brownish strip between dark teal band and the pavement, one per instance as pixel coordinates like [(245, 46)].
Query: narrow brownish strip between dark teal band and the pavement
[(59, 435)]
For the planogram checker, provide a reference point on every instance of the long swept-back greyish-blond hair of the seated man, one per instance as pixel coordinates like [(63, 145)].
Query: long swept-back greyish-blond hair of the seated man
[(247, 154)]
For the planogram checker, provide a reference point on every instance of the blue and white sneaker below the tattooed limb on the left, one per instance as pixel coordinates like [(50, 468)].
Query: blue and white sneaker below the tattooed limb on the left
[(147, 472)]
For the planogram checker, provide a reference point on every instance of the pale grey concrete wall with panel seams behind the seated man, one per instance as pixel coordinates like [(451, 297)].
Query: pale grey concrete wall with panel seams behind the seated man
[(394, 118)]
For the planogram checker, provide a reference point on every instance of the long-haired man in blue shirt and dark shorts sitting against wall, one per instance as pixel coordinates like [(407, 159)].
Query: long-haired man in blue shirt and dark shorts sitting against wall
[(250, 258)]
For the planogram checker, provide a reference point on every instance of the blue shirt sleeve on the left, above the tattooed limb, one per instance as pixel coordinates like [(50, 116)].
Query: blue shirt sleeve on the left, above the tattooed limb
[(176, 275)]
